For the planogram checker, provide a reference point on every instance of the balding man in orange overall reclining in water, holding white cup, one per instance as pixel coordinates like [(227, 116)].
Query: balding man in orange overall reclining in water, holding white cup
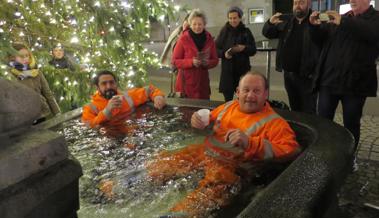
[(246, 131)]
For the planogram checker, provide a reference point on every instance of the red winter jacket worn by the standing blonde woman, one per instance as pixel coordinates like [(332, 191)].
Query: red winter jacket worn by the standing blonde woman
[(193, 81)]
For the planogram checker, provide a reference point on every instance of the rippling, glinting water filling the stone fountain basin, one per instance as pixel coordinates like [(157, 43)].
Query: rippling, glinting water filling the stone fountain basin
[(114, 173)]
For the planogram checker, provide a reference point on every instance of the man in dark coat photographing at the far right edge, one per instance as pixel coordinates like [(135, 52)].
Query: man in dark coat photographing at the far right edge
[(347, 67)]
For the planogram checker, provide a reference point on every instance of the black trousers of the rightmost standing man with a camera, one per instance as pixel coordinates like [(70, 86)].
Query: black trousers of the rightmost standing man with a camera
[(352, 107)]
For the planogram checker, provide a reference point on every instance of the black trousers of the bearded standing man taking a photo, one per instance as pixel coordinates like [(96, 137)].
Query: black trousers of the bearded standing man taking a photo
[(299, 94)]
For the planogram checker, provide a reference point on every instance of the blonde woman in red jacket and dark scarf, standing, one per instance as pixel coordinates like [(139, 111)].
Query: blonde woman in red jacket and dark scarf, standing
[(195, 53)]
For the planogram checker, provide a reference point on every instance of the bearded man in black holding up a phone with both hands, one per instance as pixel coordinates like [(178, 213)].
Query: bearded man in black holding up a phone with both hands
[(296, 54)]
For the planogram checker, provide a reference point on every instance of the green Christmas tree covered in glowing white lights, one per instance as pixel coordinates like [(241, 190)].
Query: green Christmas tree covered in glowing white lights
[(100, 34)]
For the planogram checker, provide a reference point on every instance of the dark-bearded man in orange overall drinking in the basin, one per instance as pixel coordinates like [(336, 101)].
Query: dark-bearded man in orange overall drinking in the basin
[(110, 107)]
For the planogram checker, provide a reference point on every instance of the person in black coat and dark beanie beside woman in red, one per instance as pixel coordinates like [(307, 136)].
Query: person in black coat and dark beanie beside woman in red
[(235, 44)]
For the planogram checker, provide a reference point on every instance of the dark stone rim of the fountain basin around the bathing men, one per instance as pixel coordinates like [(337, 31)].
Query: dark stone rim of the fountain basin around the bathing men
[(308, 187)]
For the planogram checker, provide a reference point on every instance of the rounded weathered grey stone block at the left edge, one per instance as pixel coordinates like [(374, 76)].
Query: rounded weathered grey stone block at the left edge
[(30, 153)]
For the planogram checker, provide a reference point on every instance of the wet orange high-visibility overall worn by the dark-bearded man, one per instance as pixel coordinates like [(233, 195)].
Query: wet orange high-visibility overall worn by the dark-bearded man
[(95, 114)]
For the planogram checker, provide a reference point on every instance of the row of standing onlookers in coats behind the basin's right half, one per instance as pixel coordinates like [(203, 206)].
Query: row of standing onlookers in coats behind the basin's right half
[(326, 58)]
